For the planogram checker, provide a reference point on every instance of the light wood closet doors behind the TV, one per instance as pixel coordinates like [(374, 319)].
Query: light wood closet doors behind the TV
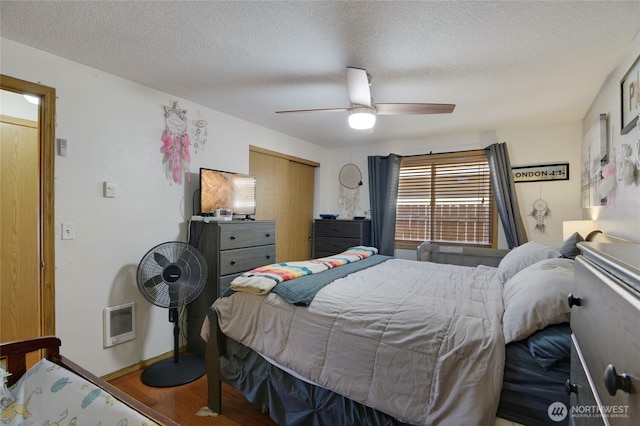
[(284, 193)]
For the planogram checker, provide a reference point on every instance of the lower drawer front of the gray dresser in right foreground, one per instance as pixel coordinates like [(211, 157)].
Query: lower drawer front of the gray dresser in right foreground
[(582, 398)]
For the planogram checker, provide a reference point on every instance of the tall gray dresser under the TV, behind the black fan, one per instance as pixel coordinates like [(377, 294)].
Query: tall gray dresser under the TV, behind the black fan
[(230, 248)]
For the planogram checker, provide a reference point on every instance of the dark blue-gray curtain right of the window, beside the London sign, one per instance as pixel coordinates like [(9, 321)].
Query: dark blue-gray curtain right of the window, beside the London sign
[(505, 194)]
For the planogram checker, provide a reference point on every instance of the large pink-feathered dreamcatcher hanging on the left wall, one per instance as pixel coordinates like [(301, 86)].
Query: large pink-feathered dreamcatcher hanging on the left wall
[(175, 143)]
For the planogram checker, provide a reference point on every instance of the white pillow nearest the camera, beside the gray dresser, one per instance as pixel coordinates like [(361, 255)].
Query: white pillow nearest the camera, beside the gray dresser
[(536, 297)]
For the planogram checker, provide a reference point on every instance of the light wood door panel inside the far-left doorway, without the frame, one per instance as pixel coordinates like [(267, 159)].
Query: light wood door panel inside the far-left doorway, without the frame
[(19, 239)]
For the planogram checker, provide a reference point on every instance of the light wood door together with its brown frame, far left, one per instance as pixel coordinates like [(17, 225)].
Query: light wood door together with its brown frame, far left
[(27, 259)]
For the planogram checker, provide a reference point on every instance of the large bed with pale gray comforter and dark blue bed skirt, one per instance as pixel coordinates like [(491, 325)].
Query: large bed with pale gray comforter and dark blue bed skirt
[(401, 342)]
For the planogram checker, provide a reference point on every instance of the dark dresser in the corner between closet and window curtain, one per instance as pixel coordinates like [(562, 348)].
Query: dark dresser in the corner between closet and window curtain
[(332, 236)]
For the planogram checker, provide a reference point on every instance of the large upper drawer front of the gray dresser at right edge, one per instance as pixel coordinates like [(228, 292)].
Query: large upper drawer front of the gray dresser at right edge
[(605, 325)]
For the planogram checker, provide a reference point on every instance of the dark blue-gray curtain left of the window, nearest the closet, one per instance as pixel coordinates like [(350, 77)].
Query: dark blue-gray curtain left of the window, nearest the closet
[(383, 195)]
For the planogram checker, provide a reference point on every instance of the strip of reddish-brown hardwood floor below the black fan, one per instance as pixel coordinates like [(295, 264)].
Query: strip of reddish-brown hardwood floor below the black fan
[(181, 403)]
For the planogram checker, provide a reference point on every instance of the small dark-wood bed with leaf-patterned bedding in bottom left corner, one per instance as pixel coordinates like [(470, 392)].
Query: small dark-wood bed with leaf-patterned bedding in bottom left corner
[(55, 390)]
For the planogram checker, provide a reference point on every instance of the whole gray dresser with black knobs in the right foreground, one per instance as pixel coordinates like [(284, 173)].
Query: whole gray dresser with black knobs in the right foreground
[(605, 320)]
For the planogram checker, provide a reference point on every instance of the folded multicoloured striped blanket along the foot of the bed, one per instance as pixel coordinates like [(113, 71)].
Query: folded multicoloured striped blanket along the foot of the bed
[(262, 279)]
